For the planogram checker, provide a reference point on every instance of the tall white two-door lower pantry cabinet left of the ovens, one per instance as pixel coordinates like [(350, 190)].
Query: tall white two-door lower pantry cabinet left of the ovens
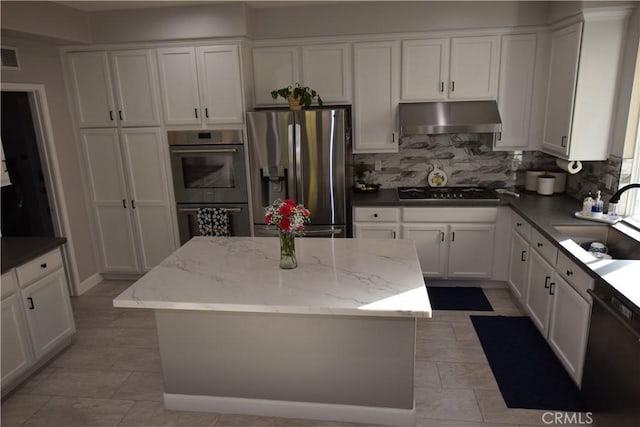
[(130, 197)]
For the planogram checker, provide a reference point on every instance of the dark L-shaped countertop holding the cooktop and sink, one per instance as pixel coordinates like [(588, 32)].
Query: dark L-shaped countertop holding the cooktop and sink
[(543, 212)]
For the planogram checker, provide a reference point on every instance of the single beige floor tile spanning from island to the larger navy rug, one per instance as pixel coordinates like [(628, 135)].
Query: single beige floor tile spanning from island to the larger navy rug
[(450, 351)]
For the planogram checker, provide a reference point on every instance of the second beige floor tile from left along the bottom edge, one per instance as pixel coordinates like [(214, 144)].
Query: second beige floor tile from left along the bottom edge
[(80, 412)]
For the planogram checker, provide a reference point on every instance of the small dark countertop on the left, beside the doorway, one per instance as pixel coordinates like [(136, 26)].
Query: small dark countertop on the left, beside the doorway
[(18, 250)]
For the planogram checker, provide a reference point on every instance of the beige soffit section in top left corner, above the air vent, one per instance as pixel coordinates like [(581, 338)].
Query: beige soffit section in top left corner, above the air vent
[(45, 19)]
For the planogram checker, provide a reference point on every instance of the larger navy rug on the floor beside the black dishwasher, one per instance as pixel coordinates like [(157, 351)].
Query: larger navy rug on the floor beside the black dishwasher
[(527, 371)]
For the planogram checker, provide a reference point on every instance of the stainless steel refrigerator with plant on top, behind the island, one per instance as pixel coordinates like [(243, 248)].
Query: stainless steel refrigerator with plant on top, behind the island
[(301, 155)]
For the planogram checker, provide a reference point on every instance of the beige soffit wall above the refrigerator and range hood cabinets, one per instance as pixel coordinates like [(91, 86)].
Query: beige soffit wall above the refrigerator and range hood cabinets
[(391, 17)]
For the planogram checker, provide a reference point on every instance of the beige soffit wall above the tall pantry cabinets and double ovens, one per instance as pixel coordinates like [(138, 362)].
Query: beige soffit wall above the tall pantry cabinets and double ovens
[(169, 23)]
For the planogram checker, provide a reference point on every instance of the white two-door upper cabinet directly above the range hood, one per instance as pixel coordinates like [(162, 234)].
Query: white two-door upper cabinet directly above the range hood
[(461, 68)]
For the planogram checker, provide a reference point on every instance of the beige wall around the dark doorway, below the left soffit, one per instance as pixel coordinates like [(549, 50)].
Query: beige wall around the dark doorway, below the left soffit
[(40, 63)]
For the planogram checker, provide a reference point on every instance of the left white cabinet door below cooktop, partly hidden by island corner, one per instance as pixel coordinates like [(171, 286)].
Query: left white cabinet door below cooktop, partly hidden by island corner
[(430, 240)]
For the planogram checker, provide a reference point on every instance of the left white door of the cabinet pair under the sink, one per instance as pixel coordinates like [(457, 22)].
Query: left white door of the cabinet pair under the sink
[(538, 299)]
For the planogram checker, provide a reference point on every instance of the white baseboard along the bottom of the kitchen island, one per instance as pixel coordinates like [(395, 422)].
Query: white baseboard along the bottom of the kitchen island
[(289, 409)]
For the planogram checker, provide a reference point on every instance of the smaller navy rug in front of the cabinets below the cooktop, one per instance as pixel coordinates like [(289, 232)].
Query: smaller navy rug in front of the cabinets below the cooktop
[(458, 298)]
